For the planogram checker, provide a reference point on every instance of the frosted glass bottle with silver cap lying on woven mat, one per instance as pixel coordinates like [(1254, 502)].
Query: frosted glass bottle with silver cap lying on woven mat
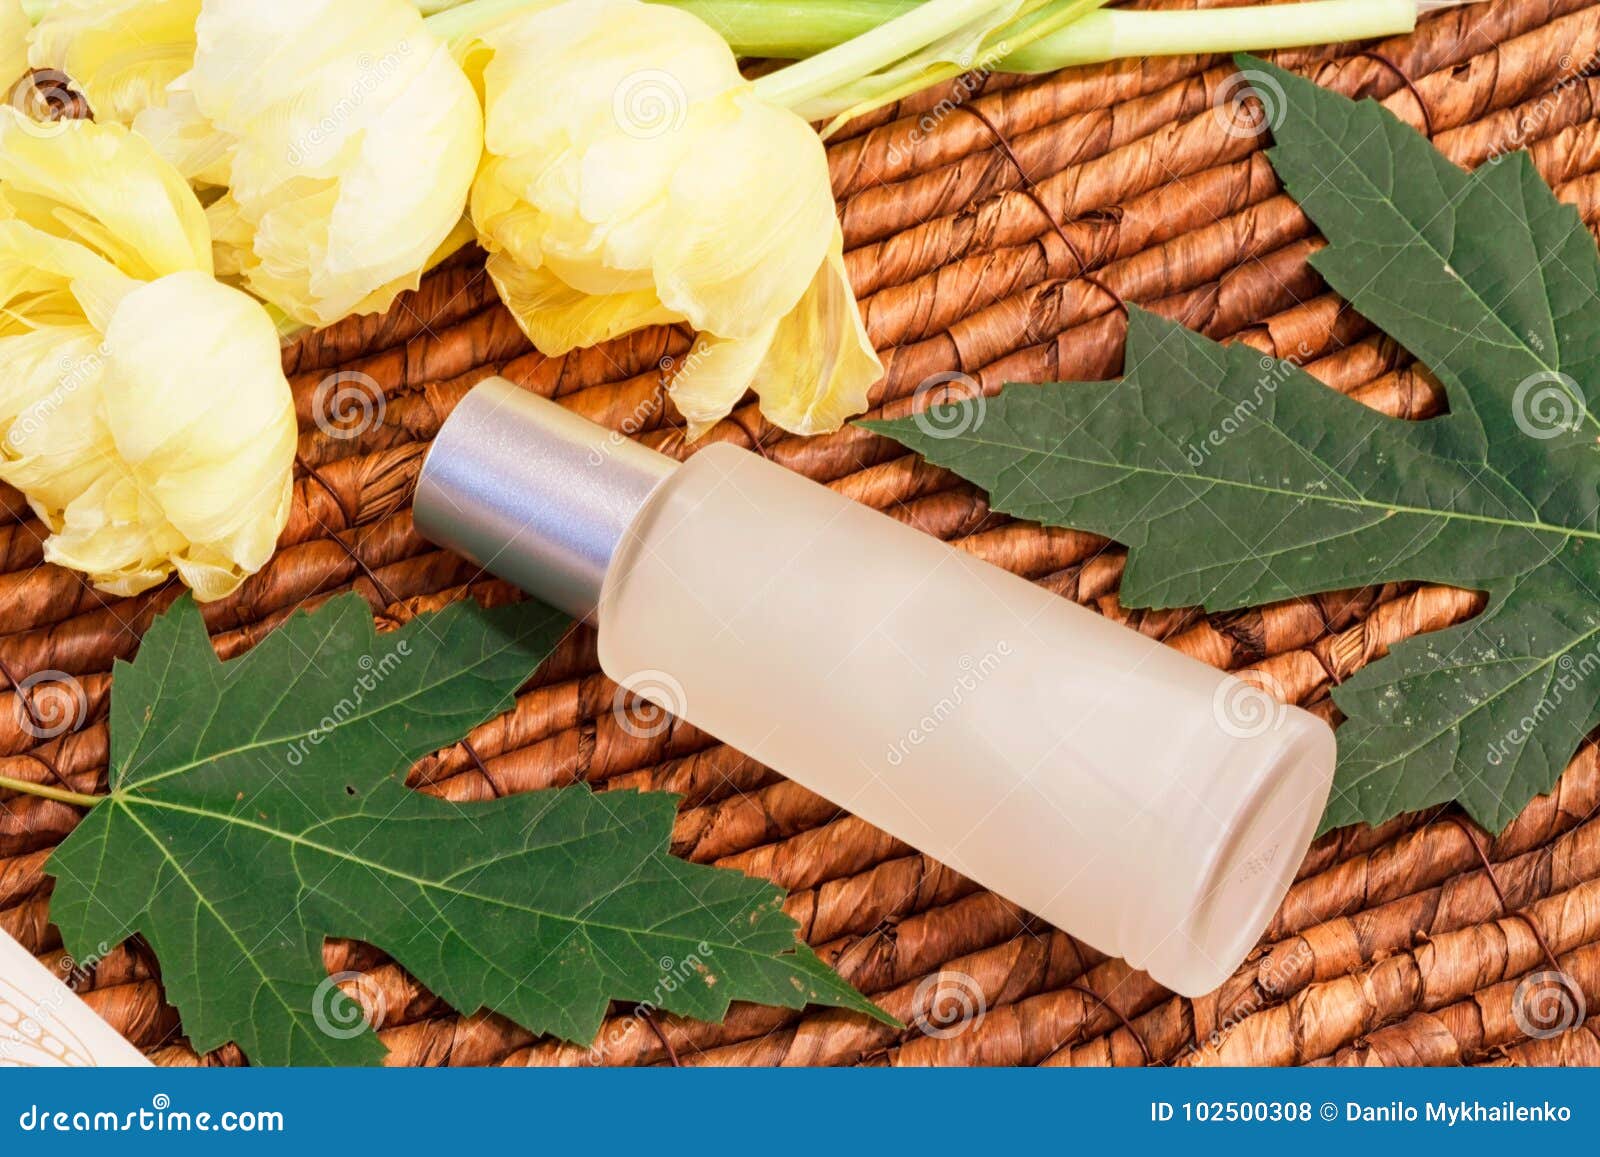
[(1137, 799)]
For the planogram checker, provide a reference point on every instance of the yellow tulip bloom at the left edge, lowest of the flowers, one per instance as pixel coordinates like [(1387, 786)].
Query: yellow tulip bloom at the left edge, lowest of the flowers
[(143, 404)]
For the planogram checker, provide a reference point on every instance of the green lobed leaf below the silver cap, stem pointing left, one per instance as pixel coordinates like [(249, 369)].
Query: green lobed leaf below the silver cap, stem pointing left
[(258, 807)]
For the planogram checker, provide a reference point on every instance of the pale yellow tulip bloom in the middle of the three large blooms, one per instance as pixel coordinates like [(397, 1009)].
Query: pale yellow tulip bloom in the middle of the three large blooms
[(334, 140)]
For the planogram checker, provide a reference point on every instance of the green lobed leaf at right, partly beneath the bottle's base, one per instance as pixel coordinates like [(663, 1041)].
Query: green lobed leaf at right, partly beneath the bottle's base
[(1238, 481)]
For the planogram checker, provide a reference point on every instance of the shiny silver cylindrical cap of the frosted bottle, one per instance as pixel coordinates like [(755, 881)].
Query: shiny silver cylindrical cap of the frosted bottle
[(534, 494)]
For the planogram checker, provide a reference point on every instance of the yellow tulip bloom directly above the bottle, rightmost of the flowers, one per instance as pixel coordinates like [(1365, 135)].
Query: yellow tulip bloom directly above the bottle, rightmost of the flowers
[(633, 177)]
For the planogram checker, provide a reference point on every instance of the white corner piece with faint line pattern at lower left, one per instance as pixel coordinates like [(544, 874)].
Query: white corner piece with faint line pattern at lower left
[(46, 1025)]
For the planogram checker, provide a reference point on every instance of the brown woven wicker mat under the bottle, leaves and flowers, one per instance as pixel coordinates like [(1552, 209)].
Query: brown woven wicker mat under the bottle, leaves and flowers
[(994, 234)]
